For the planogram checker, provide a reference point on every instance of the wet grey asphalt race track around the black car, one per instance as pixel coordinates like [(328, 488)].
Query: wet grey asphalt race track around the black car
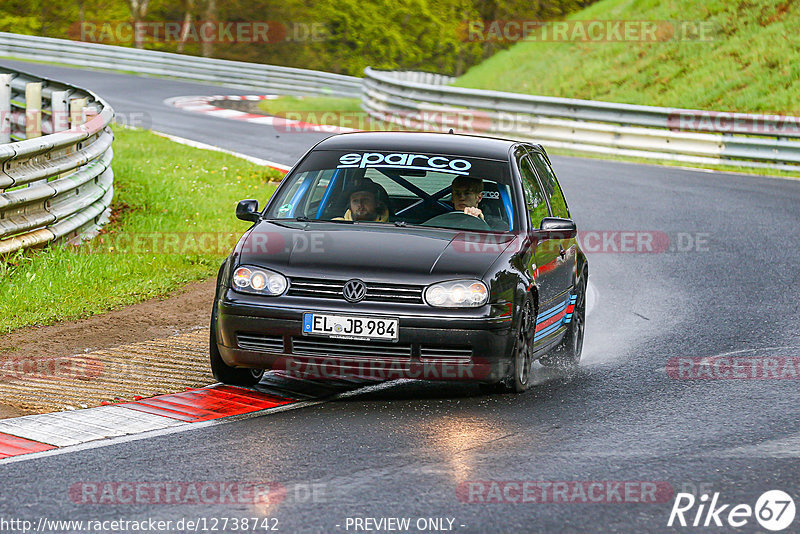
[(401, 451)]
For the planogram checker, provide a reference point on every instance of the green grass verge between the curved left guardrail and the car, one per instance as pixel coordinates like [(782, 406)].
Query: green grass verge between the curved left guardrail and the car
[(162, 190)]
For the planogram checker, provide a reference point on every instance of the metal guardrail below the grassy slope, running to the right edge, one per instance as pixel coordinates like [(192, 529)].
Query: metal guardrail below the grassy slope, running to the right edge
[(686, 135)]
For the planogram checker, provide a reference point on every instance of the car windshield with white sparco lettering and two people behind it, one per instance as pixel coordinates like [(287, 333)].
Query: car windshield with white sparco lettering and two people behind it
[(435, 190)]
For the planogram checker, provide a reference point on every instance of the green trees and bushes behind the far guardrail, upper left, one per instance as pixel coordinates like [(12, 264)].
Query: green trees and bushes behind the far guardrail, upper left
[(333, 35)]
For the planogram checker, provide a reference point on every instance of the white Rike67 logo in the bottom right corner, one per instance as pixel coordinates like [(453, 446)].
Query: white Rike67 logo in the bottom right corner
[(774, 510)]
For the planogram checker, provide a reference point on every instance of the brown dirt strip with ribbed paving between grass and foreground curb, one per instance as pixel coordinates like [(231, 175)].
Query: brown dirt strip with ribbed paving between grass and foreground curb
[(67, 347)]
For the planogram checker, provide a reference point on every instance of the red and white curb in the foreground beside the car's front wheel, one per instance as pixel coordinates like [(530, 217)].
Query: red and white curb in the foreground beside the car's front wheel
[(33, 436)]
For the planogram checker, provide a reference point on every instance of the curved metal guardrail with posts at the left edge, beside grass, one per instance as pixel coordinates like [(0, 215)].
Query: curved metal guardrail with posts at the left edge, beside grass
[(58, 185)]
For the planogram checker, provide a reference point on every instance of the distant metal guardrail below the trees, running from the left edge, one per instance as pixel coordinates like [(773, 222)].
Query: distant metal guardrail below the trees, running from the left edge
[(238, 74)]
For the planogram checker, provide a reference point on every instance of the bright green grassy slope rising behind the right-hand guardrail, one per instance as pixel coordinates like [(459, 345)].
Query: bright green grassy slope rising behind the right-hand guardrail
[(751, 63)]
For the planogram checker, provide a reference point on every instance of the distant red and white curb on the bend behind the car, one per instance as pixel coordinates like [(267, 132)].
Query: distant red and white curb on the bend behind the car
[(203, 104)]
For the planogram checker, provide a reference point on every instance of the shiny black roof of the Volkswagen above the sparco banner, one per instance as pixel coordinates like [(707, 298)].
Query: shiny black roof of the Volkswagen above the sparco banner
[(421, 142)]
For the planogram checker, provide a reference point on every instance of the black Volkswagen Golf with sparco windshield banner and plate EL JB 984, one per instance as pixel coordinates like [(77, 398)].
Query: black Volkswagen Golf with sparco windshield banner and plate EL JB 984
[(405, 255)]
